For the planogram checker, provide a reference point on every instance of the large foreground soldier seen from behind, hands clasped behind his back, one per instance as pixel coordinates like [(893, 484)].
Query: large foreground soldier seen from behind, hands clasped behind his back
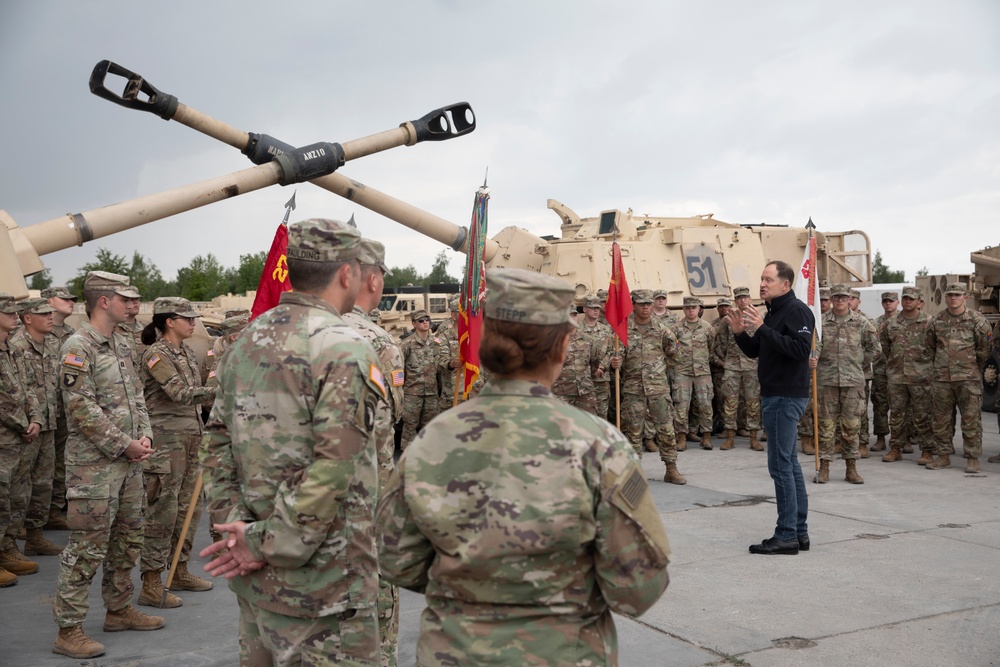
[(291, 466)]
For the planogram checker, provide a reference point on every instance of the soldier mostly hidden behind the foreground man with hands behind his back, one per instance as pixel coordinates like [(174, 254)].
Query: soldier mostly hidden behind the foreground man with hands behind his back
[(373, 272)]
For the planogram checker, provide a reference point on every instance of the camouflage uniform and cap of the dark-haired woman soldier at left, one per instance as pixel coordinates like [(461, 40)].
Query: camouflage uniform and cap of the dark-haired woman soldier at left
[(173, 394)]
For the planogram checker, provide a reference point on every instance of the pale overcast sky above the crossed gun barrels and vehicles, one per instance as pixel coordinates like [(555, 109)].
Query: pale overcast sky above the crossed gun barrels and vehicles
[(881, 116)]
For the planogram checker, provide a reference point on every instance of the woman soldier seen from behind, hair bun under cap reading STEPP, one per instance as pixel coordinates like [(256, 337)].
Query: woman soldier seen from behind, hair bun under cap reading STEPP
[(485, 517)]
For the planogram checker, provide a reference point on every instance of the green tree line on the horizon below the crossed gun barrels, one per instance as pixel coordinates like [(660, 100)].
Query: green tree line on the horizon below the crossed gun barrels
[(204, 278)]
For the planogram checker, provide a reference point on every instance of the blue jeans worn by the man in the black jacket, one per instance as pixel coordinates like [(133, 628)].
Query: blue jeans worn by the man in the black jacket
[(781, 416)]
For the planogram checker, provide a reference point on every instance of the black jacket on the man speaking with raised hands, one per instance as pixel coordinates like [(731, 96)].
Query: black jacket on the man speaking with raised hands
[(782, 345)]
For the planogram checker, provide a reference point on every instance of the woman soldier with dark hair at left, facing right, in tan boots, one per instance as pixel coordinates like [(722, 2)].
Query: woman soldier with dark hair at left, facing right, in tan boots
[(174, 394)]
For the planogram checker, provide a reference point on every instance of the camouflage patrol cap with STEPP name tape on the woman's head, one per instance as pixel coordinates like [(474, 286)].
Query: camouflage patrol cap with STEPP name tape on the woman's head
[(518, 295)]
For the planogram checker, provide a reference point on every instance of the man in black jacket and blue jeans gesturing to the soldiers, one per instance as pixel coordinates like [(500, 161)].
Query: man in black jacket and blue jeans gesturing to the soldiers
[(782, 341)]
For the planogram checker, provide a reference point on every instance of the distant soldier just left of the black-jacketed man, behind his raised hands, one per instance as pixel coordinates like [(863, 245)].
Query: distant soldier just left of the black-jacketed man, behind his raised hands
[(739, 378)]
